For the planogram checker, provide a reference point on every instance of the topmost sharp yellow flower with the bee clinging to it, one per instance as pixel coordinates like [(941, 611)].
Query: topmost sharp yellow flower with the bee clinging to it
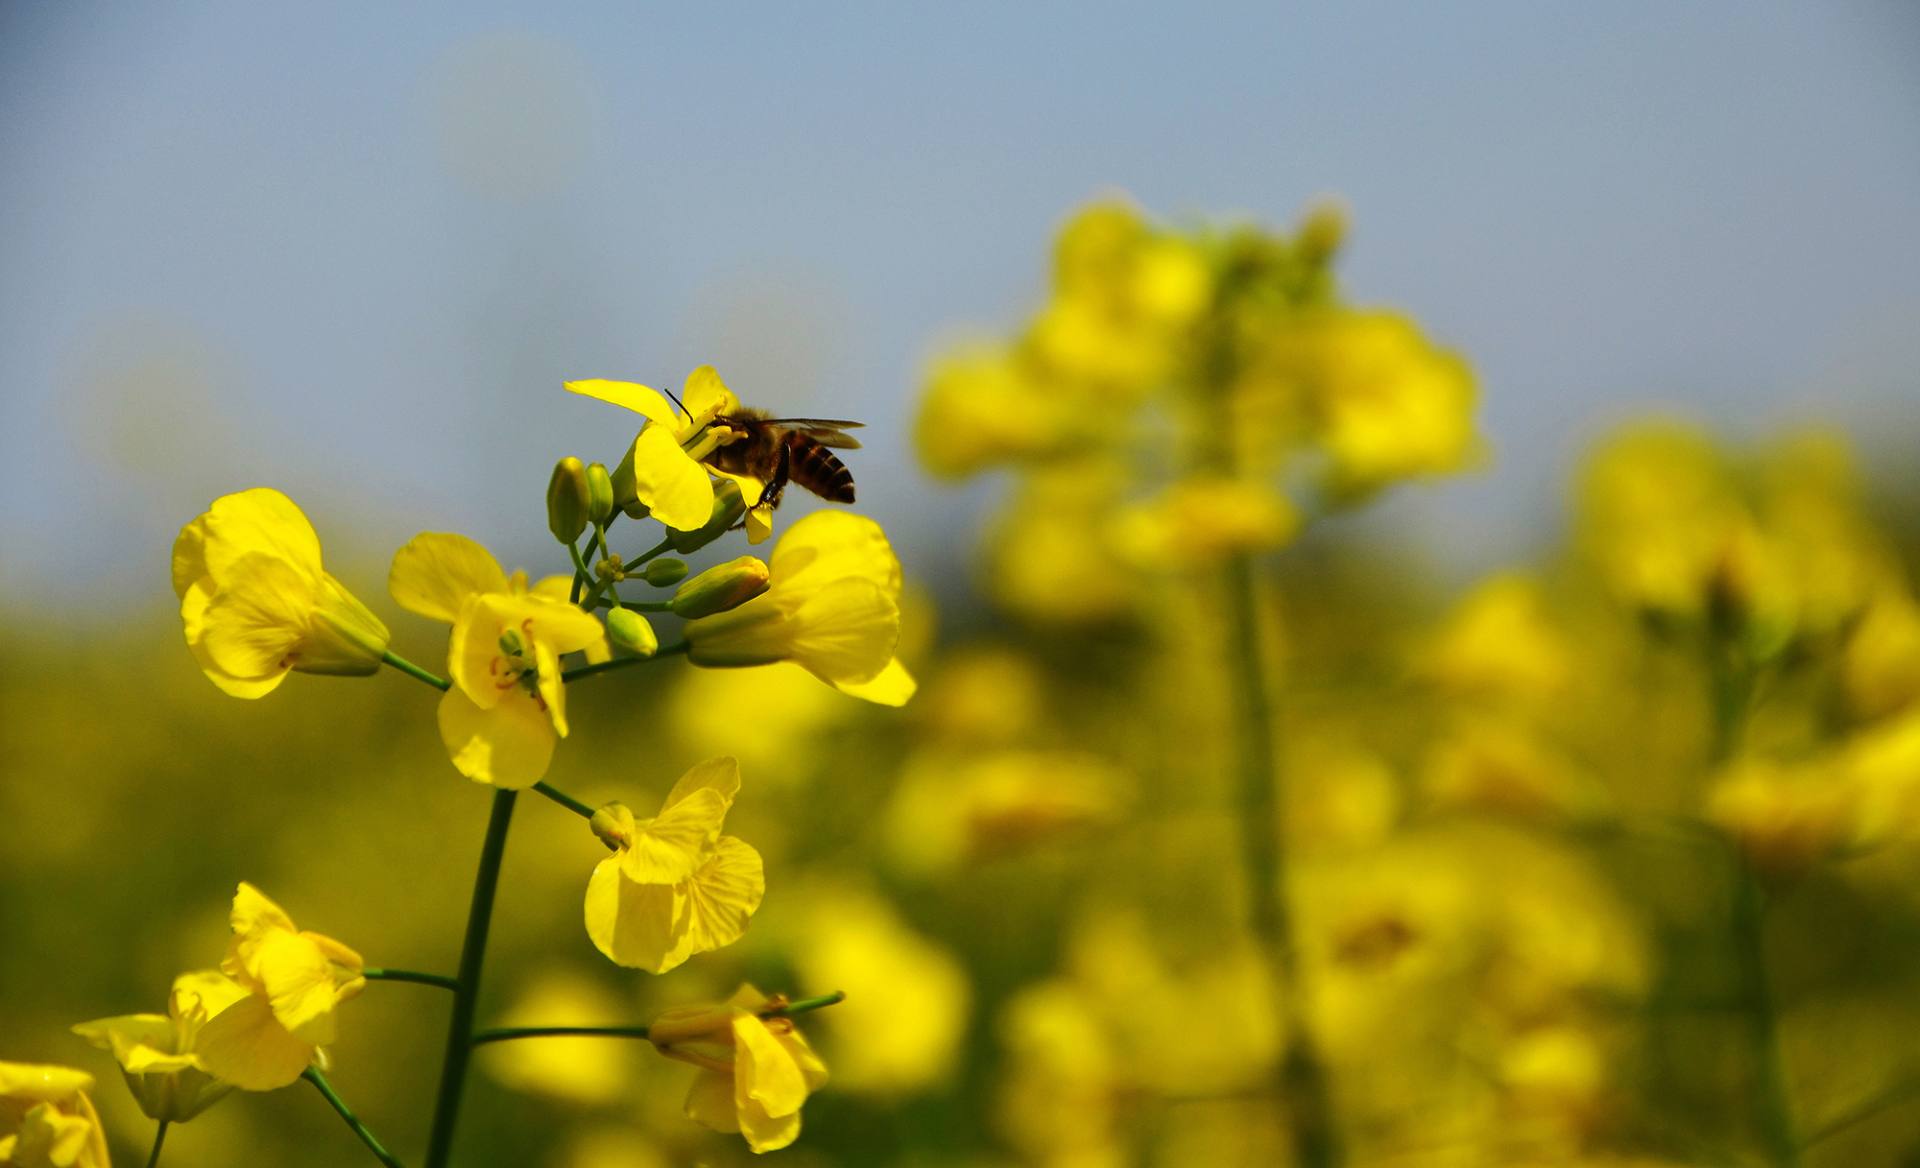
[(663, 472)]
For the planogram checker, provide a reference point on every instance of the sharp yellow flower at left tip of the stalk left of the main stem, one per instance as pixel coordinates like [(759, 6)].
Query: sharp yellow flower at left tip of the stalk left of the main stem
[(293, 985)]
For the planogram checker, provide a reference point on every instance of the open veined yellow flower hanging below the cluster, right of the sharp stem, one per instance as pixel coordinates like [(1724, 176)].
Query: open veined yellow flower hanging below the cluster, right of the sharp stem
[(675, 887)]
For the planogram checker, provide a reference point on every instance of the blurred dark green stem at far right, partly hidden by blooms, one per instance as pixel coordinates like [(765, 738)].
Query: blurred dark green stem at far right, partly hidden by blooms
[(1731, 693)]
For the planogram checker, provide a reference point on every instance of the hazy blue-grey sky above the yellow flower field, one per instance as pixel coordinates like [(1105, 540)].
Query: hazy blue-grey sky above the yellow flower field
[(352, 251)]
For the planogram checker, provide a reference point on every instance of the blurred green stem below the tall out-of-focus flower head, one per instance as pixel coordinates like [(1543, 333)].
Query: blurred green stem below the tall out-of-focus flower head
[(1303, 1081)]
